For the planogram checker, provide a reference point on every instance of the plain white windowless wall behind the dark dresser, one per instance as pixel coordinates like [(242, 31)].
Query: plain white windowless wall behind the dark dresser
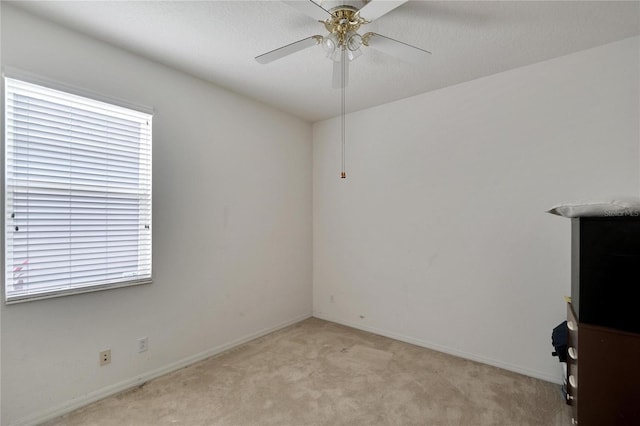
[(439, 234)]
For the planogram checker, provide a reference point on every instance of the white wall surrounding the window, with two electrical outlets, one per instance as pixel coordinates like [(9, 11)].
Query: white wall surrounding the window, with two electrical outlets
[(231, 238)]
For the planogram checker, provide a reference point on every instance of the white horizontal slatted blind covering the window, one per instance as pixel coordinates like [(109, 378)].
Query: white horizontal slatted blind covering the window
[(77, 193)]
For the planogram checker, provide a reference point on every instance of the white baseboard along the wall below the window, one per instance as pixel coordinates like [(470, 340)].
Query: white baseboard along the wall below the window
[(133, 382)]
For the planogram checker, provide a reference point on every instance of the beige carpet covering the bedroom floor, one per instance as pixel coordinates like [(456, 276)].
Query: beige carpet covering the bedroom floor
[(320, 373)]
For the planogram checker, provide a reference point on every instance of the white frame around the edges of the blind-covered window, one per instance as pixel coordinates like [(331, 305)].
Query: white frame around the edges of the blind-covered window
[(86, 287)]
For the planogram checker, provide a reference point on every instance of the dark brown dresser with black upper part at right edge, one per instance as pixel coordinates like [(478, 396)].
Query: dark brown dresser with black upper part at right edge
[(603, 319)]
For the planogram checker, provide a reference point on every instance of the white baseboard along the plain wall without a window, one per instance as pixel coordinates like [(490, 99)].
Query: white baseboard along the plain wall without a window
[(440, 348)]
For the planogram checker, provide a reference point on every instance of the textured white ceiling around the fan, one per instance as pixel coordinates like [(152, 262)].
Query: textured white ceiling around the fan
[(218, 40)]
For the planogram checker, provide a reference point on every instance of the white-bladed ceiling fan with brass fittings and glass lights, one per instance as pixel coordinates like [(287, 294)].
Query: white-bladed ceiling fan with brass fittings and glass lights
[(342, 19)]
